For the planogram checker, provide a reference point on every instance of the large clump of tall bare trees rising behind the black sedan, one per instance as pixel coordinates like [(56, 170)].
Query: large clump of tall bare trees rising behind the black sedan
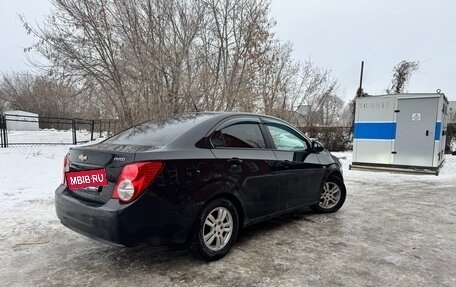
[(144, 59)]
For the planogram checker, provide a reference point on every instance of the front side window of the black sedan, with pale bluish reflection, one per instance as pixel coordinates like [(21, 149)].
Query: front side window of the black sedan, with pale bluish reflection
[(285, 138)]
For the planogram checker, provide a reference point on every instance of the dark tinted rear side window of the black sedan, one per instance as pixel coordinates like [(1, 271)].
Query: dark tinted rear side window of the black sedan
[(244, 135)]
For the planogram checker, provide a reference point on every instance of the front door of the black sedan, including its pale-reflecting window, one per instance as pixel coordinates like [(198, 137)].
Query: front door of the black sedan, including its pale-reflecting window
[(302, 172)]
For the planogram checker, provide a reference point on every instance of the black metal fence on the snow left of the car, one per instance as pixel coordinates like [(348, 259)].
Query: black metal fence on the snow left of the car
[(30, 130)]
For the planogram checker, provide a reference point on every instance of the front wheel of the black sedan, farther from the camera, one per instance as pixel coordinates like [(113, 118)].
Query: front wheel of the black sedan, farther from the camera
[(332, 196)]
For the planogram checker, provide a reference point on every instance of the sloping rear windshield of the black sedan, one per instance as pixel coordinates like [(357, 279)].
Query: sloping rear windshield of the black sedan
[(157, 133)]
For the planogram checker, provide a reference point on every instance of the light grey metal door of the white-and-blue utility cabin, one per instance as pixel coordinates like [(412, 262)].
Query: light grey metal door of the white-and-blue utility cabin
[(415, 131)]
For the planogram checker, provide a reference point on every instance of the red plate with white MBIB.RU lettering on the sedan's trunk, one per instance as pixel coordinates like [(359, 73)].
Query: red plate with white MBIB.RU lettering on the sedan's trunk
[(86, 178)]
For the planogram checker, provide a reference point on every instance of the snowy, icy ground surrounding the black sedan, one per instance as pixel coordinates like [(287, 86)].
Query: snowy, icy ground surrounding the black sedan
[(394, 230)]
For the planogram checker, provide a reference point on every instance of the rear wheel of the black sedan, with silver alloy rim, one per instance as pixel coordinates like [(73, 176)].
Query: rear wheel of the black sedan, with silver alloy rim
[(216, 230)]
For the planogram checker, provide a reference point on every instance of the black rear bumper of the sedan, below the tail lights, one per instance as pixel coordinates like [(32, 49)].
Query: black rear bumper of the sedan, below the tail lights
[(122, 224)]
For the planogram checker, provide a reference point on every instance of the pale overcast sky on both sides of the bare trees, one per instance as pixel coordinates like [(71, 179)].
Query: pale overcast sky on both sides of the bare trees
[(334, 34)]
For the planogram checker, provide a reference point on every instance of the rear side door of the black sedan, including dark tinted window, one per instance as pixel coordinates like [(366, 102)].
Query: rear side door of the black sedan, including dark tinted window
[(244, 161)]
